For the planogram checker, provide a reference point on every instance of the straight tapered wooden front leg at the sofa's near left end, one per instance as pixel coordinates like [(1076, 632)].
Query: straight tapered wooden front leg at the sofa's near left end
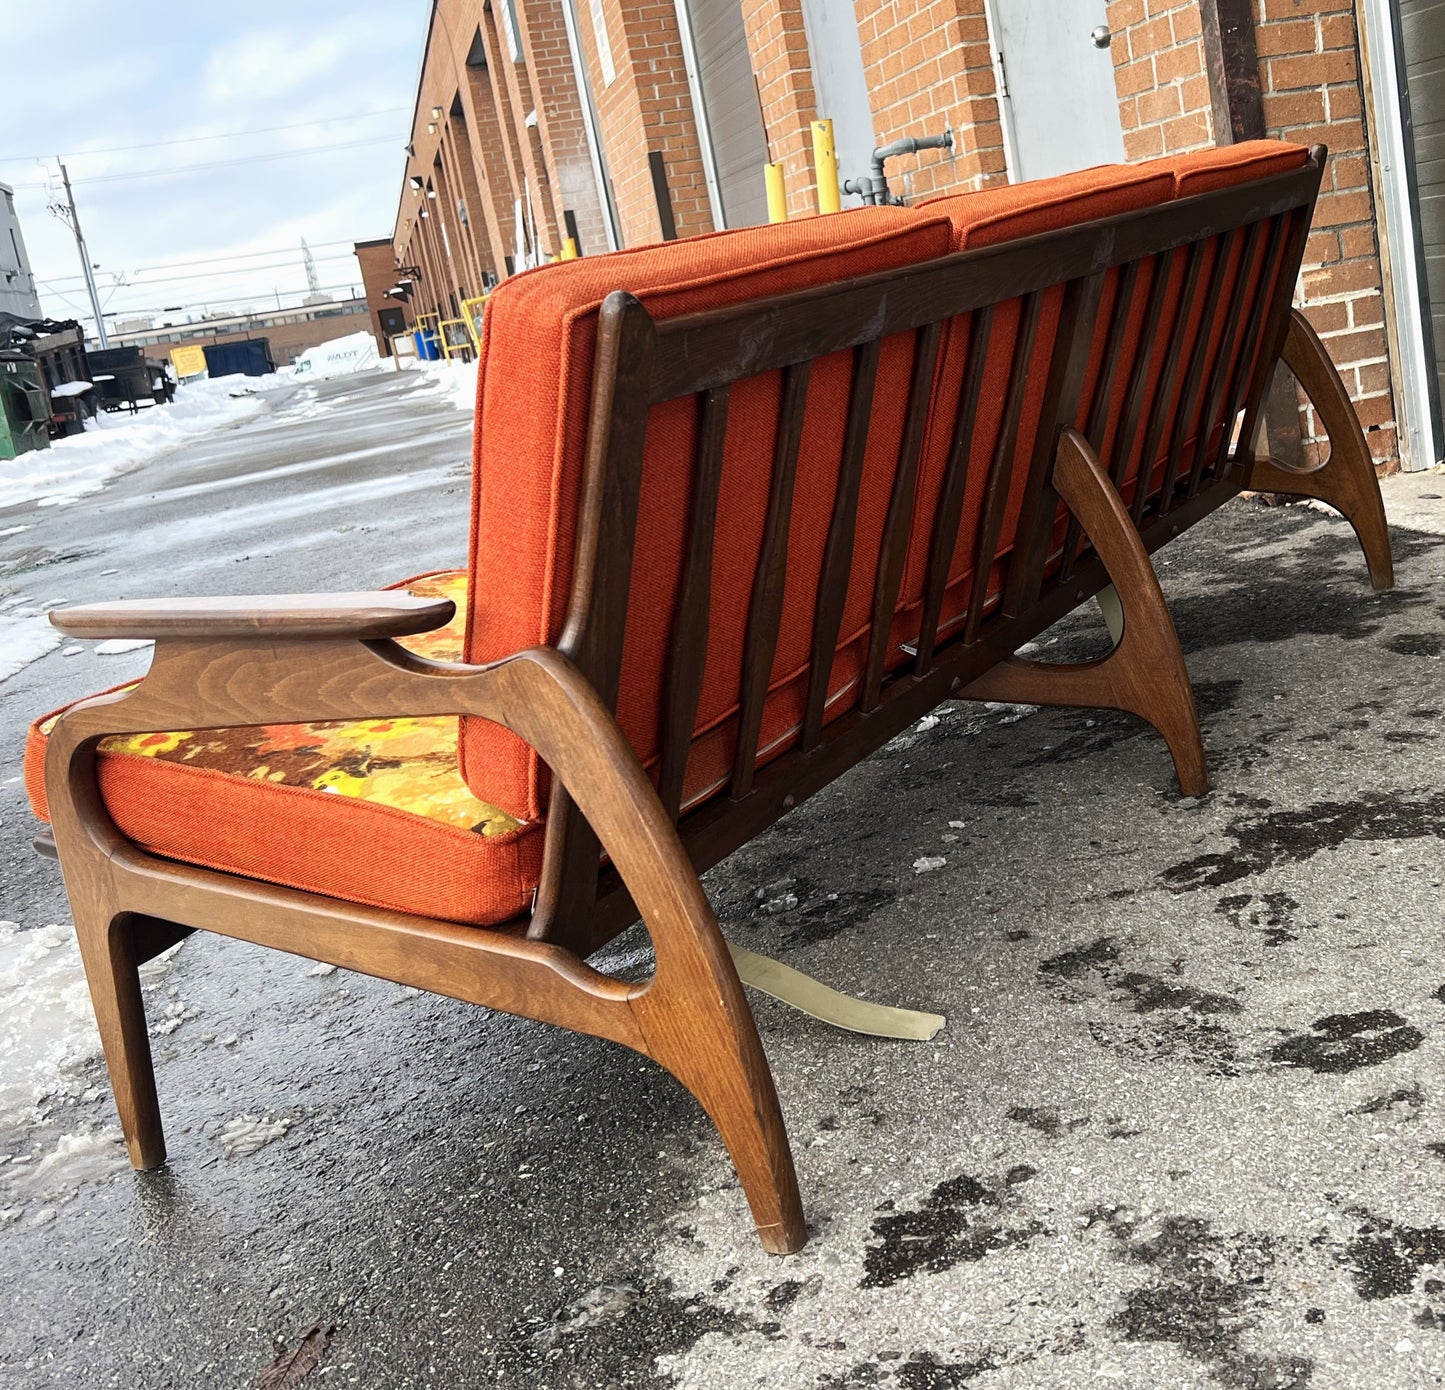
[(109, 954)]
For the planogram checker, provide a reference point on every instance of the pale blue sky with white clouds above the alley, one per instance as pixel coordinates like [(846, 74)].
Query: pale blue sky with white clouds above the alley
[(124, 93)]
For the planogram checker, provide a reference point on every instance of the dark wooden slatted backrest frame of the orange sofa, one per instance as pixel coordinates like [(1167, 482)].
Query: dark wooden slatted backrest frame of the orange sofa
[(1168, 323)]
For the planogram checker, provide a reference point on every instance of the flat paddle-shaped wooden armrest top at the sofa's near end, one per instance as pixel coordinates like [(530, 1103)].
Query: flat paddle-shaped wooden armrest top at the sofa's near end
[(285, 618)]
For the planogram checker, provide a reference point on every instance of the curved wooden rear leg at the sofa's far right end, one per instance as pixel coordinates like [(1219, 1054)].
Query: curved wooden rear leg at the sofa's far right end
[(1346, 480)]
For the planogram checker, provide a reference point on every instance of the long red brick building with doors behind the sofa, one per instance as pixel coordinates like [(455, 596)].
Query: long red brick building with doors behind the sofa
[(622, 122)]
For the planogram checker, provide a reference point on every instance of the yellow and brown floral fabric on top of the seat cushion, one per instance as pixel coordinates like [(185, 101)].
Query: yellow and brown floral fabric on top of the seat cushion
[(410, 765)]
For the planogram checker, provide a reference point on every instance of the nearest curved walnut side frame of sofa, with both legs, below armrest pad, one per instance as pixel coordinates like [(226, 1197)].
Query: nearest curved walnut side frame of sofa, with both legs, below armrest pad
[(691, 1016)]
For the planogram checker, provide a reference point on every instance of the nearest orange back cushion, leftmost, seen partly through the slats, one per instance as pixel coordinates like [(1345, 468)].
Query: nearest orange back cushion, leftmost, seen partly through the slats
[(534, 400)]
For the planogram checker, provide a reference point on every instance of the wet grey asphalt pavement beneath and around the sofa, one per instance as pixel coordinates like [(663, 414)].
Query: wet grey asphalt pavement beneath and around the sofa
[(1186, 1126)]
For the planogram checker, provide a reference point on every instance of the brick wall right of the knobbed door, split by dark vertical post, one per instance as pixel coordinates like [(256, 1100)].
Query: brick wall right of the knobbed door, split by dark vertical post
[(1311, 93)]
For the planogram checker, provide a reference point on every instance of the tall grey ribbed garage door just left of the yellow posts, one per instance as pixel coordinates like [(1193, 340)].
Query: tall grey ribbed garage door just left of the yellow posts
[(732, 122)]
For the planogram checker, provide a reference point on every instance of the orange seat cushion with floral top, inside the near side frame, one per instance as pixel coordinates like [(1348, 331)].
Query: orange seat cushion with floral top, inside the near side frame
[(371, 811)]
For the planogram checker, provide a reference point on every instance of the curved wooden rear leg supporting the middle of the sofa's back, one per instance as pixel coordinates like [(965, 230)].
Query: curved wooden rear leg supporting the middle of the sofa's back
[(1145, 674)]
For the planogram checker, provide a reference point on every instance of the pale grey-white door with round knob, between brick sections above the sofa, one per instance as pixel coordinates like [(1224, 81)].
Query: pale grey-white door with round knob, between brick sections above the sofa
[(1060, 109)]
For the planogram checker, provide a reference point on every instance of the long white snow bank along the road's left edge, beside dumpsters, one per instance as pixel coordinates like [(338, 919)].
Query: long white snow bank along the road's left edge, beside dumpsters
[(116, 444)]
